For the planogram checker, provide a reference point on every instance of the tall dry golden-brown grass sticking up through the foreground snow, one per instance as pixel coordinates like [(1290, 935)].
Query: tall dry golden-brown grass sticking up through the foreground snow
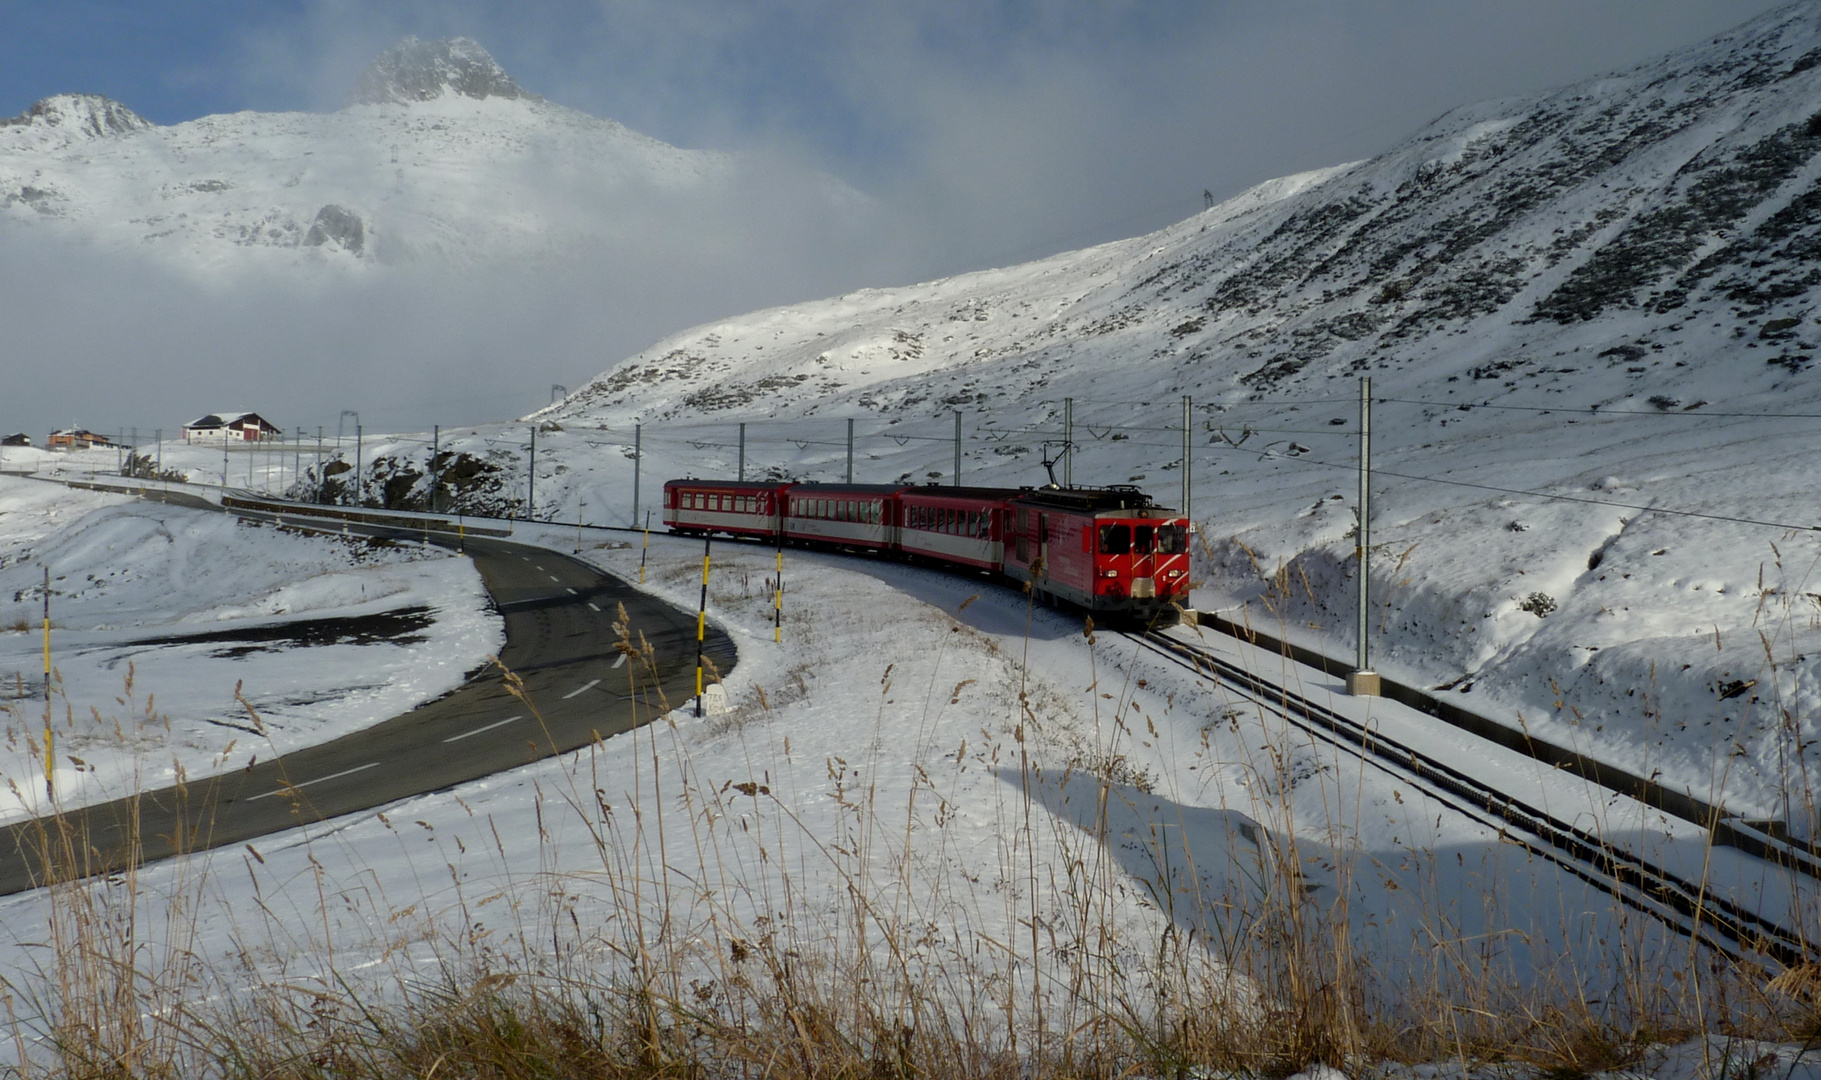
[(631, 968)]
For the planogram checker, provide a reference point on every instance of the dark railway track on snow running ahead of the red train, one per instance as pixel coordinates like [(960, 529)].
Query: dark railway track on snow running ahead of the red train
[(1653, 890)]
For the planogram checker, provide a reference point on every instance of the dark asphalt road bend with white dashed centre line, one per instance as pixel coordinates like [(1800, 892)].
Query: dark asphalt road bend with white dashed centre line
[(560, 642)]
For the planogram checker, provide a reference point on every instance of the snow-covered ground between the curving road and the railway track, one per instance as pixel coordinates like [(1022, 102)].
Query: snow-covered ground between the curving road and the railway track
[(935, 749)]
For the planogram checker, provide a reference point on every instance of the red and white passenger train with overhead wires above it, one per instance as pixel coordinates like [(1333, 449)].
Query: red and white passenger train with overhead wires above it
[(1108, 551)]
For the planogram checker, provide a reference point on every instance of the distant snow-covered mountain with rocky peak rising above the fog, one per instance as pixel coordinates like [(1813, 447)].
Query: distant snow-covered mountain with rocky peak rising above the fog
[(438, 156)]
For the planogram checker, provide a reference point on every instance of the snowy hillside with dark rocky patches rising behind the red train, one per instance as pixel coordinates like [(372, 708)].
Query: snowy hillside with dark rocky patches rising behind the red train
[(1642, 245)]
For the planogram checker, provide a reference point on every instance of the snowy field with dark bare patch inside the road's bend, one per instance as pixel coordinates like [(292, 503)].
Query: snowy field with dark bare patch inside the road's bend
[(168, 626)]
